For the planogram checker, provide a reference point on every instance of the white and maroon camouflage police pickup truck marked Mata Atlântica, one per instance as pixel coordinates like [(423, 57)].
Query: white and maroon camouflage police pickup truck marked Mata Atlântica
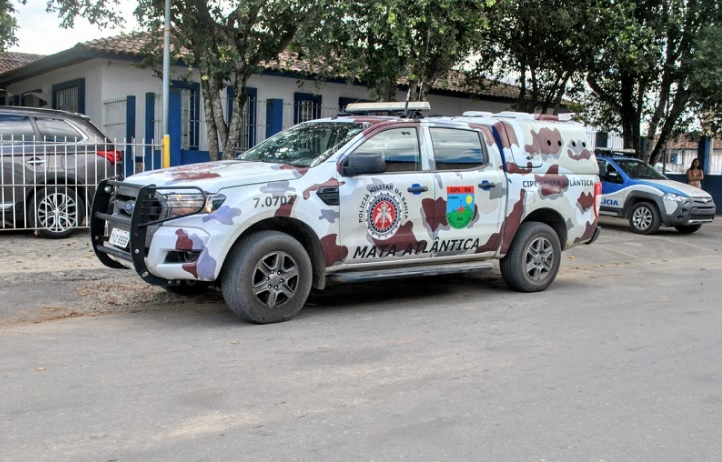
[(380, 191)]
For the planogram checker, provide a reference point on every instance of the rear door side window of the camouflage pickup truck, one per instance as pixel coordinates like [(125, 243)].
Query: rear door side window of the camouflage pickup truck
[(456, 149)]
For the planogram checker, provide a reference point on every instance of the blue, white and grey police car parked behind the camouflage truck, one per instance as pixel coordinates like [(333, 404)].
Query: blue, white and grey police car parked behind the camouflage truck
[(634, 190)]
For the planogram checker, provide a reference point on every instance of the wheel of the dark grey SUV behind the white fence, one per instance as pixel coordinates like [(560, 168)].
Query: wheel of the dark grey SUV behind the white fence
[(56, 212)]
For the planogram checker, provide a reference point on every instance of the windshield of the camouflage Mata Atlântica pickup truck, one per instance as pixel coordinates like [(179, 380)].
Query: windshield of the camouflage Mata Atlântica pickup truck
[(305, 145)]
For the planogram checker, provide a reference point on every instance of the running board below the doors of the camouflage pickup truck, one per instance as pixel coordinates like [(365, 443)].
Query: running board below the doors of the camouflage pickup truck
[(397, 273)]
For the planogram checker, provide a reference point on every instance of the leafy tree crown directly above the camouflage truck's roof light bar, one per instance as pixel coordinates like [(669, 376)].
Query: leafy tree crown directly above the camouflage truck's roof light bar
[(383, 42)]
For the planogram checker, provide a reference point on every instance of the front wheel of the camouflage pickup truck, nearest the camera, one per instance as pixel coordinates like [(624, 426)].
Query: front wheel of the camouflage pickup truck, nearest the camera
[(267, 277)]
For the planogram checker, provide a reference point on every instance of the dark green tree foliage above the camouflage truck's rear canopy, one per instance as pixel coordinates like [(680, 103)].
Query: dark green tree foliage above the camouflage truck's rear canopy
[(541, 45)]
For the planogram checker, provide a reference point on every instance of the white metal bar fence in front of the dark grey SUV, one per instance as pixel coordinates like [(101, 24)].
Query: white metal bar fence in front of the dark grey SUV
[(49, 185)]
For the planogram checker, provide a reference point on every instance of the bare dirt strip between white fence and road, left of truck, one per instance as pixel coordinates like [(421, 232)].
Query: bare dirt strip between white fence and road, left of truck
[(43, 279)]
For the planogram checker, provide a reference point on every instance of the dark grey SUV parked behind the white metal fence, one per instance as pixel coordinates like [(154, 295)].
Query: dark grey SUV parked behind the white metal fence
[(51, 163)]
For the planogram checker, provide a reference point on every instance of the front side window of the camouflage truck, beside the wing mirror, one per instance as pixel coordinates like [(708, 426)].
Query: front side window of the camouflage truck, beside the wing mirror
[(399, 148)]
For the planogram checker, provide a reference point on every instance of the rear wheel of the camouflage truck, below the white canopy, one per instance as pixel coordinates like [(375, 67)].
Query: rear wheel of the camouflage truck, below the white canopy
[(533, 259)]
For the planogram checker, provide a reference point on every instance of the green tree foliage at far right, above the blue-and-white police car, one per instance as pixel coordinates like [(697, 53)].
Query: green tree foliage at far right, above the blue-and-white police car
[(659, 69)]
